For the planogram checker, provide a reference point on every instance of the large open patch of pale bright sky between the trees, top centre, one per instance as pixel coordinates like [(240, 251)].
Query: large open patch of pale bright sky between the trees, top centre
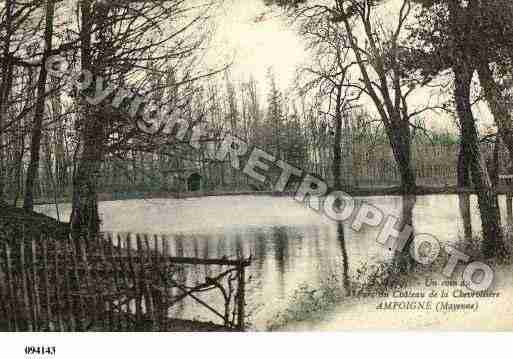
[(255, 38)]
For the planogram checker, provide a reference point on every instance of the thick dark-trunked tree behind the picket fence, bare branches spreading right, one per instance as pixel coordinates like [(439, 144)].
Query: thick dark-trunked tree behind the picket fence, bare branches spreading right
[(121, 43)]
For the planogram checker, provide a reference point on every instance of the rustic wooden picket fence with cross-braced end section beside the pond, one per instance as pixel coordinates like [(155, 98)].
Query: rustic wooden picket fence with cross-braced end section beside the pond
[(109, 284)]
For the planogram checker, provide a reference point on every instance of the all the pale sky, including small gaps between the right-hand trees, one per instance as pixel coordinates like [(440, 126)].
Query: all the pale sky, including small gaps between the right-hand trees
[(256, 38)]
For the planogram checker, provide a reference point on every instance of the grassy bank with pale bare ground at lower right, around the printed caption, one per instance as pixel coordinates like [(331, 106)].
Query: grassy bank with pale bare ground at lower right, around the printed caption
[(333, 306)]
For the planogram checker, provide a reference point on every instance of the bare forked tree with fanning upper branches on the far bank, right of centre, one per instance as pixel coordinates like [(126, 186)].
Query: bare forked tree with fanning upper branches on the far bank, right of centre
[(379, 56)]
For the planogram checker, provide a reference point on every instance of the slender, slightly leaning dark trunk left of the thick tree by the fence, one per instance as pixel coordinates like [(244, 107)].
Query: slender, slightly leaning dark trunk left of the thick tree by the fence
[(33, 168)]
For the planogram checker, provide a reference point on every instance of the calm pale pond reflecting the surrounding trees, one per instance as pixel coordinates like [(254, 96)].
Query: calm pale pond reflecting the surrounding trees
[(292, 247)]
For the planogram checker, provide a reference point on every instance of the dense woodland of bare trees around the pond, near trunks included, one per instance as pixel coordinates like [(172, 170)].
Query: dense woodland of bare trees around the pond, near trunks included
[(353, 117)]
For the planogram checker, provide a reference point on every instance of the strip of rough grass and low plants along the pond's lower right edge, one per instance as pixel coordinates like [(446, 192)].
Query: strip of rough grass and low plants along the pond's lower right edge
[(372, 282)]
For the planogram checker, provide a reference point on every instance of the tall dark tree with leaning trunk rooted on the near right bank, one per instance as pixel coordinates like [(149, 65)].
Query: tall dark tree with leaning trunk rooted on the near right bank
[(456, 47)]
